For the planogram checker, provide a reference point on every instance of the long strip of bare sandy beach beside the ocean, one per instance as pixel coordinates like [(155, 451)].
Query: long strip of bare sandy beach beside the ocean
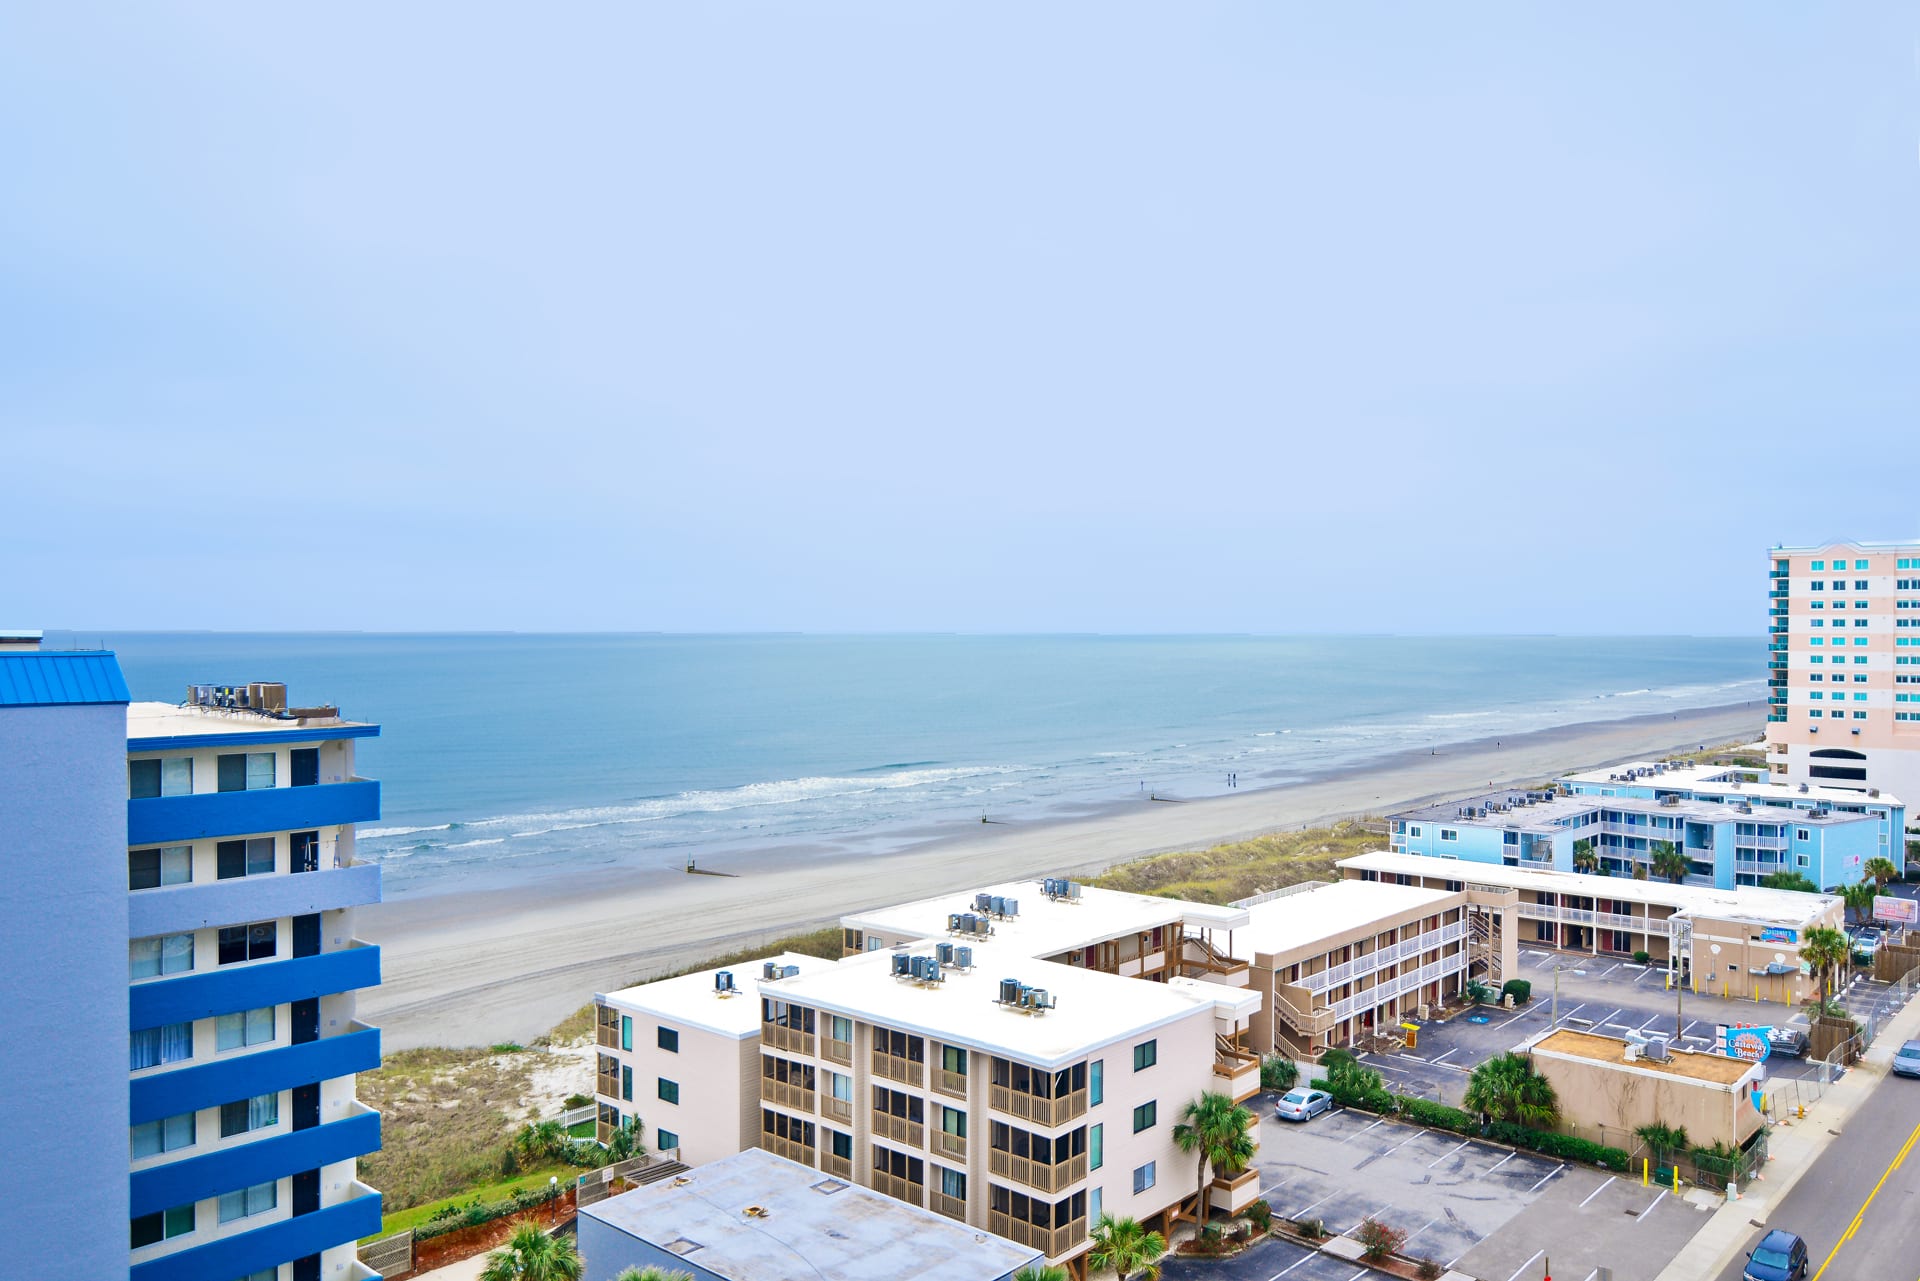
[(479, 967)]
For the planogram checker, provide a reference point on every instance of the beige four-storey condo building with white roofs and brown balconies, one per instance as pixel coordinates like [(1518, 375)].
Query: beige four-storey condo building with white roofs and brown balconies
[(1015, 1059)]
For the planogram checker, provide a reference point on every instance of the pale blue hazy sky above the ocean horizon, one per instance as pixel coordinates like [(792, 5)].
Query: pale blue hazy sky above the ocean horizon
[(982, 318)]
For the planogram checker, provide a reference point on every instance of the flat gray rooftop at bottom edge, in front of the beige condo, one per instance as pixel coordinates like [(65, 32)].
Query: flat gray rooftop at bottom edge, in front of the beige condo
[(809, 1224)]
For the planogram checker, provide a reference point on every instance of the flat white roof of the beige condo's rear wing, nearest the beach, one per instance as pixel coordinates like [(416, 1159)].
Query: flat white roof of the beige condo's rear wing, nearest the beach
[(1047, 927)]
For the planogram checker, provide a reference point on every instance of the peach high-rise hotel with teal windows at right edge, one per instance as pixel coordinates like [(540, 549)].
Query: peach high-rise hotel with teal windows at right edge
[(1844, 665)]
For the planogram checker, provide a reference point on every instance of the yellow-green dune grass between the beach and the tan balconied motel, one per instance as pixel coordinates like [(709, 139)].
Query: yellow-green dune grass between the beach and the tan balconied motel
[(1241, 869)]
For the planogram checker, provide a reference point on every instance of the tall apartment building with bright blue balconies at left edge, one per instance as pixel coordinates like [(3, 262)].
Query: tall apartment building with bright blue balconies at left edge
[(237, 998)]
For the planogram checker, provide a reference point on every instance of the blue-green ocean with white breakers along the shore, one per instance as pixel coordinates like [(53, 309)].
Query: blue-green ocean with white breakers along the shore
[(510, 756)]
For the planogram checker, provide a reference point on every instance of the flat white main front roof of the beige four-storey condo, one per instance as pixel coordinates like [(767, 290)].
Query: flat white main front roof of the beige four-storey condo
[(1093, 1007)]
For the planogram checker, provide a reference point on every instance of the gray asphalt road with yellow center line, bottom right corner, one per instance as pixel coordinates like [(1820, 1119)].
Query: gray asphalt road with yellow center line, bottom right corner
[(1860, 1201)]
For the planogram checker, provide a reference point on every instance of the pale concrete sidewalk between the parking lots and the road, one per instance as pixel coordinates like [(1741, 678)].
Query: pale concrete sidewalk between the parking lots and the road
[(1794, 1148)]
